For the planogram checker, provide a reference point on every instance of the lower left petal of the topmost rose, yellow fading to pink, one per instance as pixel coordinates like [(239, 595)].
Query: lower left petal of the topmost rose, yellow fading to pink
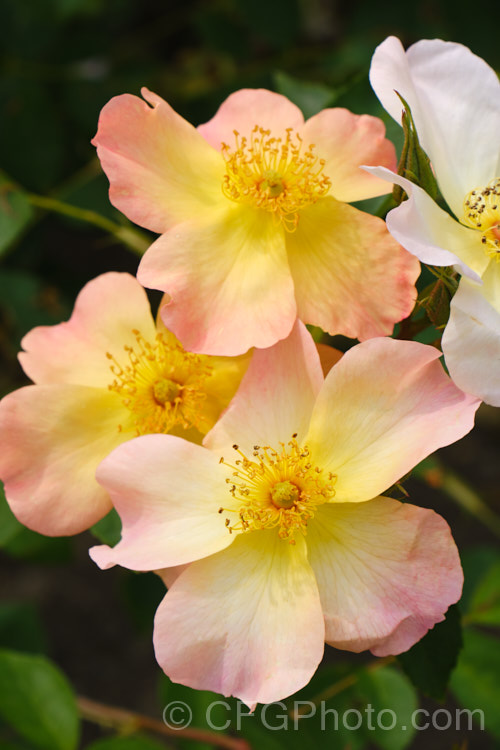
[(228, 279)]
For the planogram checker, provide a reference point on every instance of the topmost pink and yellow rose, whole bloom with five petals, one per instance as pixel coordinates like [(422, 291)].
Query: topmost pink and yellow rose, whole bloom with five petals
[(252, 208)]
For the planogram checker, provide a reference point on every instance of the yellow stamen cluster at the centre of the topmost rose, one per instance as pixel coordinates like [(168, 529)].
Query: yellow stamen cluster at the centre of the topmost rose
[(274, 174)]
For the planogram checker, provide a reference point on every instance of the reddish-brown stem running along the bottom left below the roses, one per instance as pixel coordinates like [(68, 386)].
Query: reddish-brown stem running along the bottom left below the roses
[(129, 721)]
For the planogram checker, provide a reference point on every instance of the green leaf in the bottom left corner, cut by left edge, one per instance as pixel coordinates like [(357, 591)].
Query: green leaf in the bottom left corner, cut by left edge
[(37, 701)]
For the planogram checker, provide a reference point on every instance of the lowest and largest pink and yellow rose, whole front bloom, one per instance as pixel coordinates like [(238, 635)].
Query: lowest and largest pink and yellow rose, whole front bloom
[(277, 528)]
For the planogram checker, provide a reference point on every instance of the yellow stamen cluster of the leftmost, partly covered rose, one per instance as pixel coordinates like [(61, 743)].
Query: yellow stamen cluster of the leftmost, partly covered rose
[(161, 384)]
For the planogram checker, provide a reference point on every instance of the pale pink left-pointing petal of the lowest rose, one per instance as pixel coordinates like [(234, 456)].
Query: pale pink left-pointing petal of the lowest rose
[(167, 492)]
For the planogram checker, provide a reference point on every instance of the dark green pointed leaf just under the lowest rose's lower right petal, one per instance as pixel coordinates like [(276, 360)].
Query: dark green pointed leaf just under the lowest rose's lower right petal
[(431, 661)]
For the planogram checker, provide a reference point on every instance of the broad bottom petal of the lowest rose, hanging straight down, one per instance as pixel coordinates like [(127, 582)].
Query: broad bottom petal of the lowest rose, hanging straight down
[(245, 622)]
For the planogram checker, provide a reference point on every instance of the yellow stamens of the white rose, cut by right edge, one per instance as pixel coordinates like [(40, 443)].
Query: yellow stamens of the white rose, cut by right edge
[(482, 211)]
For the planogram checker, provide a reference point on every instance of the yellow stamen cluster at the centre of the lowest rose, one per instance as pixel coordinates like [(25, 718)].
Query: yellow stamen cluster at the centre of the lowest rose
[(276, 489)]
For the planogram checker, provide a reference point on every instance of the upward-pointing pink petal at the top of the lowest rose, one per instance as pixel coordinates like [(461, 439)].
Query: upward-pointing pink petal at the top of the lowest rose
[(276, 397)]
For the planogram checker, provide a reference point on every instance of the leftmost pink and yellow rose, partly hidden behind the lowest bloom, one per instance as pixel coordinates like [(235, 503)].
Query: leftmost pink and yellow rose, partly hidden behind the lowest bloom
[(102, 378)]
